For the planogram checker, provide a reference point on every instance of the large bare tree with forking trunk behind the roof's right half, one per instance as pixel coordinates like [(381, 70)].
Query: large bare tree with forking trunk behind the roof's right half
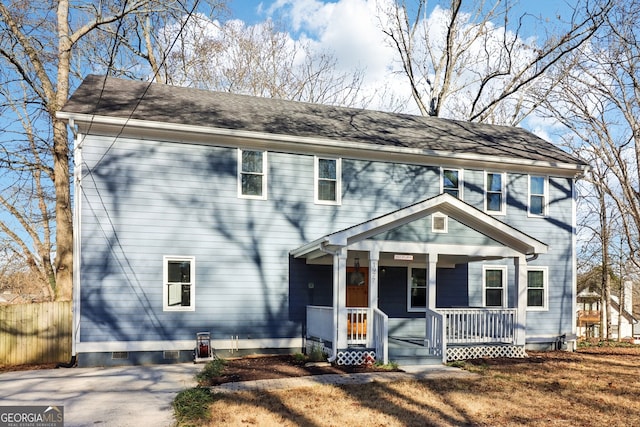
[(469, 61)]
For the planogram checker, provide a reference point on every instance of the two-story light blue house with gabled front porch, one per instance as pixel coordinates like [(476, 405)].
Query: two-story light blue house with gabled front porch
[(277, 226)]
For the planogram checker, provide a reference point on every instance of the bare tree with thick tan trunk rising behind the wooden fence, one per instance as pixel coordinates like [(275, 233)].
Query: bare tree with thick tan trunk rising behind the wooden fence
[(43, 45)]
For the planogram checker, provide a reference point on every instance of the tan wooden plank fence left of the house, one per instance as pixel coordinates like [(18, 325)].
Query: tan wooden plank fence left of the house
[(35, 333)]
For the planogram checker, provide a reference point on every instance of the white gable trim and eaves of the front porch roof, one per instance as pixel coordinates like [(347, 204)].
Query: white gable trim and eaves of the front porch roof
[(444, 203)]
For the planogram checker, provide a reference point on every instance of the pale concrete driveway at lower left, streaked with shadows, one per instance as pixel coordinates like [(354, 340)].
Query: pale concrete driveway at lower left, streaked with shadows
[(111, 397)]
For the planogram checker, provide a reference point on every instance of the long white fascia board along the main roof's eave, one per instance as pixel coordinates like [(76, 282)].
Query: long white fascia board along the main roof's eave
[(307, 145)]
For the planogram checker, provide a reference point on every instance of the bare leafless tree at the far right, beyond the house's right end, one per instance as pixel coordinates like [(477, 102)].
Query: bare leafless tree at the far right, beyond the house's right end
[(598, 101)]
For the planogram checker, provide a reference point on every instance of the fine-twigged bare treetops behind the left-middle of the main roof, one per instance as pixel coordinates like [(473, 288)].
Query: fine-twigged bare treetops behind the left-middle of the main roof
[(260, 60)]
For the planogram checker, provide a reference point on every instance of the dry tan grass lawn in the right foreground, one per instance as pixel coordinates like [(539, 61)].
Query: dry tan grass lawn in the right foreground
[(587, 388)]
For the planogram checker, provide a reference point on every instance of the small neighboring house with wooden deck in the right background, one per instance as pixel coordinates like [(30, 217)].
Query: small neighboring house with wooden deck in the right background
[(590, 313)]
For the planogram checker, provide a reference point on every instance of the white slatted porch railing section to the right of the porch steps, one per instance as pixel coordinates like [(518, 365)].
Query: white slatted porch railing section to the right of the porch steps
[(479, 325)]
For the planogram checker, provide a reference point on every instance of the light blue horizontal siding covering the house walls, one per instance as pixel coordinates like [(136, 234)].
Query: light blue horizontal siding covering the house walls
[(143, 199)]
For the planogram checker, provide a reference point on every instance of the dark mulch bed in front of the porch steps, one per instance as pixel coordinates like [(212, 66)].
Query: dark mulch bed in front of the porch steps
[(282, 366)]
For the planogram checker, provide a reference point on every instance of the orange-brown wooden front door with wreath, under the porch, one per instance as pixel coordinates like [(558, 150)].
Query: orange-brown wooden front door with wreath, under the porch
[(357, 297)]
